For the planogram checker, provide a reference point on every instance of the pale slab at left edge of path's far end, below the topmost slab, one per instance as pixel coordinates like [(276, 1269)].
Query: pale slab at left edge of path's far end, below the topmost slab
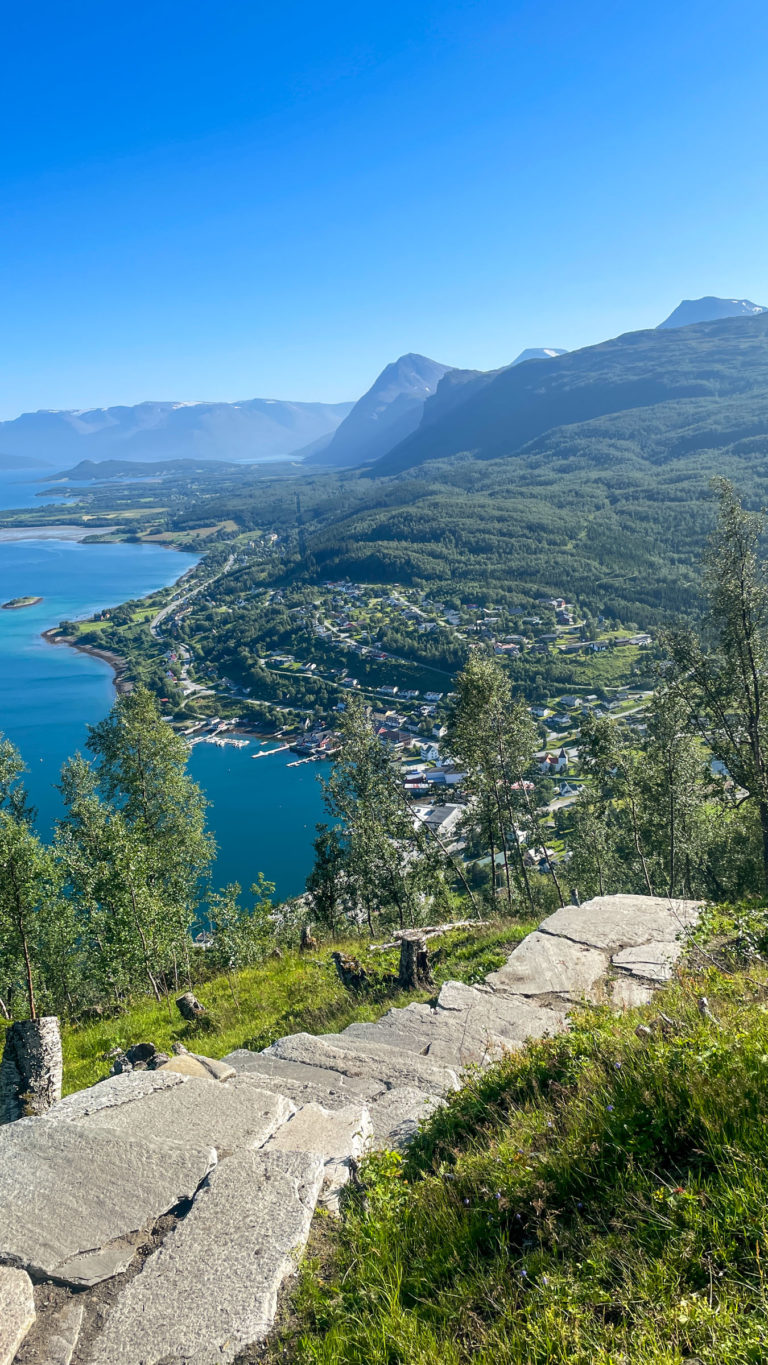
[(548, 966)]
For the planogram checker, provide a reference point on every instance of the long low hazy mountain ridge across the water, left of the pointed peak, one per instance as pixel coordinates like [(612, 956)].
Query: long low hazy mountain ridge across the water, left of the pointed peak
[(250, 431)]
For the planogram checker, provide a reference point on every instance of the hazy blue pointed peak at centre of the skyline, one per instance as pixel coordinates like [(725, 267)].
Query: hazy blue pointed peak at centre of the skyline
[(385, 416)]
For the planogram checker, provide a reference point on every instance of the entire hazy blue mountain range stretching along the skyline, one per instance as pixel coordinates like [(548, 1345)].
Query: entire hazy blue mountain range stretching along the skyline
[(417, 409)]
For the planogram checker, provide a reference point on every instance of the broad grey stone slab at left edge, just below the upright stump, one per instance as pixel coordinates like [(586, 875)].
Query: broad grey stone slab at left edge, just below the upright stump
[(72, 1196)]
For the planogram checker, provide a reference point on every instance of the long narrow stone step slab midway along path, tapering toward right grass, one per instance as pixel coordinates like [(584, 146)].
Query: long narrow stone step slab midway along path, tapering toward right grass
[(365, 1060)]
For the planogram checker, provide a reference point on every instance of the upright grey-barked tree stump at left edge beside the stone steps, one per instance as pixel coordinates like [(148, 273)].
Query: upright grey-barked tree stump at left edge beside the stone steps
[(31, 1074)]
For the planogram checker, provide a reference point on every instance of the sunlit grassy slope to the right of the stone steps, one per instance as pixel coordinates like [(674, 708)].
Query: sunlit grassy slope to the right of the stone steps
[(600, 1199)]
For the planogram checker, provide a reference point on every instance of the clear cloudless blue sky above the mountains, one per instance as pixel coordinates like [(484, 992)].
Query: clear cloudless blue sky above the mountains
[(231, 199)]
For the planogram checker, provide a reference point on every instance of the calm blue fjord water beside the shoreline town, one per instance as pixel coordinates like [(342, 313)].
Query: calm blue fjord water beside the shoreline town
[(263, 813)]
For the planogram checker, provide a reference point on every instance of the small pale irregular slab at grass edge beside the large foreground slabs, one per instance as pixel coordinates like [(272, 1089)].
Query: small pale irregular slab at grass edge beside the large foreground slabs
[(335, 1135)]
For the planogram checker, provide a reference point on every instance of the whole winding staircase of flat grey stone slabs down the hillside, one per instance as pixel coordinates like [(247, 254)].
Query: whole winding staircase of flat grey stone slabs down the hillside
[(155, 1217)]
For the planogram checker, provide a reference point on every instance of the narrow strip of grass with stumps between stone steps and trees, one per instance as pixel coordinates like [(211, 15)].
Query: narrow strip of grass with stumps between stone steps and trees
[(295, 993)]
